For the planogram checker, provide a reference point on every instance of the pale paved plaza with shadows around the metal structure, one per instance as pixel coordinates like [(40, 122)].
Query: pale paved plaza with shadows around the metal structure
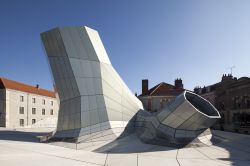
[(22, 148)]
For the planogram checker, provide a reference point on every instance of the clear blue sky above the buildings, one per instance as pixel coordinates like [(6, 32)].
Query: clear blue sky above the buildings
[(161, 40)]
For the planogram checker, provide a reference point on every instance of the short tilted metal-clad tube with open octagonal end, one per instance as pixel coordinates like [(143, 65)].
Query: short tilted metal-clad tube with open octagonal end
[(188, 117)]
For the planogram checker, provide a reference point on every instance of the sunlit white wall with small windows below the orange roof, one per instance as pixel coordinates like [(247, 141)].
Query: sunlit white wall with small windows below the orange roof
[(13, 103)]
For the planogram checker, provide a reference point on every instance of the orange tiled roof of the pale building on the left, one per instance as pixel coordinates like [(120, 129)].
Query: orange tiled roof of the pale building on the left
[(9, 84)]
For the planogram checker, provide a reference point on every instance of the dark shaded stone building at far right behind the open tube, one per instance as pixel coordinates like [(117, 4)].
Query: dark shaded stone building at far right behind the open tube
[(231, 96)]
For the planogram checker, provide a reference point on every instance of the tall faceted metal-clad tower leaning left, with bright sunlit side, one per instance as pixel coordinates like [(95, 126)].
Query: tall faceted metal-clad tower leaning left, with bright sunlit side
[(95, 103)]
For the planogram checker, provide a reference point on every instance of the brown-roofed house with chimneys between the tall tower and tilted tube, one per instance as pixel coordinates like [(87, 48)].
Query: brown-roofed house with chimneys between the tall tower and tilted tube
[(159, 96)]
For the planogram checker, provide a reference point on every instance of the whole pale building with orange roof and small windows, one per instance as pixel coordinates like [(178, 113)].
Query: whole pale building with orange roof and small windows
[(23, 105)]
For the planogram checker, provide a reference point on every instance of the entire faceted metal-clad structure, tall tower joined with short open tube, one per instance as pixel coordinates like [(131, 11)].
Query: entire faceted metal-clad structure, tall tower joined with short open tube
[(96, 105)]
